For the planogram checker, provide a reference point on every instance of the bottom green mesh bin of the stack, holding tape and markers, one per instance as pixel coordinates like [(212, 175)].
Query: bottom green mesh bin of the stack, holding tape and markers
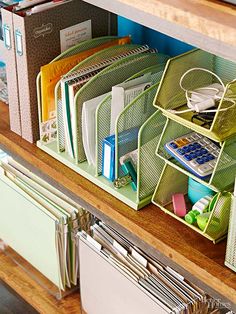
[(173, 181)]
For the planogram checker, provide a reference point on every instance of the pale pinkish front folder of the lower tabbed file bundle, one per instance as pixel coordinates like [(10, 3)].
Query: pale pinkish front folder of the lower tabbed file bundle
[(114, 293)]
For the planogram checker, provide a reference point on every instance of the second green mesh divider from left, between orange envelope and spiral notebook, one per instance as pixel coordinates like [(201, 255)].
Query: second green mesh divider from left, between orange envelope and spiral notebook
[(96, 58)]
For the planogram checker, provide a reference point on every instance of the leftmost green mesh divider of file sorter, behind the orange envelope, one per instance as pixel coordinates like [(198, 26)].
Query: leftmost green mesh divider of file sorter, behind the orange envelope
[(85, 45)]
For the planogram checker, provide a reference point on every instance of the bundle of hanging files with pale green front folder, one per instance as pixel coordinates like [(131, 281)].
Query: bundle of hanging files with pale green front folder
[(39, 223)]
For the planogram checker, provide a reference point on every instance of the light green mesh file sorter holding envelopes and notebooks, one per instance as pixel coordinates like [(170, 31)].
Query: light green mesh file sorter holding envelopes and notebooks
[(149, 130)]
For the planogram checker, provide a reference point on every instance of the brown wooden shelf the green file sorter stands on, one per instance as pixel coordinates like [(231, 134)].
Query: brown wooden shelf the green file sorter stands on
[(194, 253)]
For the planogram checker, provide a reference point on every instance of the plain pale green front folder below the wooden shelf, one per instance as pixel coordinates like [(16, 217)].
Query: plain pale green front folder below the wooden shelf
[(29, 229)]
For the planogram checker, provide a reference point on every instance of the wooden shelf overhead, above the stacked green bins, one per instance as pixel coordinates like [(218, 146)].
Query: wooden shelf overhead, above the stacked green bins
[(207, 24)]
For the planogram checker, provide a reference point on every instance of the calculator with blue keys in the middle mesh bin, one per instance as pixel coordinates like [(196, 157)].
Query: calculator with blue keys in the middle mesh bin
[(197, 153)]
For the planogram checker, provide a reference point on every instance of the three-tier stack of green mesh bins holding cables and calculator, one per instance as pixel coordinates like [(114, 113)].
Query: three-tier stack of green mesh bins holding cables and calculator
[(174, 178)]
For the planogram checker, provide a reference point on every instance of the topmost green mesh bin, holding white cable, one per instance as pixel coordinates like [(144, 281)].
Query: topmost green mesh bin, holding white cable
[(171, 96)]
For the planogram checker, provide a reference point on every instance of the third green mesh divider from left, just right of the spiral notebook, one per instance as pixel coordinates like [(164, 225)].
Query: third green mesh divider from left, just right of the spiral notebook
[(102, 83)]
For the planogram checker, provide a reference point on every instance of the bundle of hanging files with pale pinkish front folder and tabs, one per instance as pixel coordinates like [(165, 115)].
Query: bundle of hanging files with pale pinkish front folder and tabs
[(128, 280)]
